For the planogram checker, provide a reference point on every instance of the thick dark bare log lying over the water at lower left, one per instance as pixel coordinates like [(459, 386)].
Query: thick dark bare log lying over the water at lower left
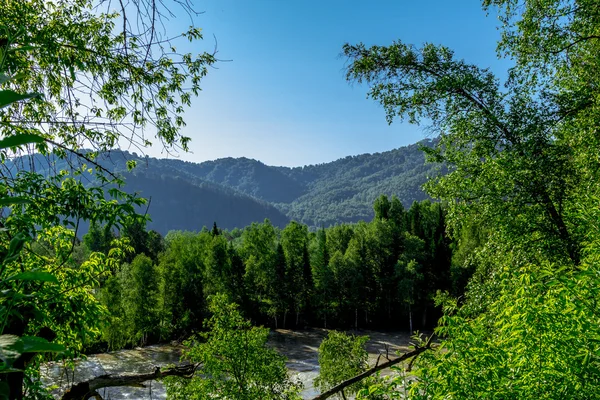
[(88, 389)]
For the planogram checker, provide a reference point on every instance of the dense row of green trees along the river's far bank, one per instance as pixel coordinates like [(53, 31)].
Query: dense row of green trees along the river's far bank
[(378, 274)]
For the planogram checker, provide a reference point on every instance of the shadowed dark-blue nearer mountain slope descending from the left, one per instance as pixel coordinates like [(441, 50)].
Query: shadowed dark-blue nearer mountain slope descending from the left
[(177, 201)]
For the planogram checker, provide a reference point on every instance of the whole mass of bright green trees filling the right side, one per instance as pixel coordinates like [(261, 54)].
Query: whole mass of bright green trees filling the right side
[(522, 168)]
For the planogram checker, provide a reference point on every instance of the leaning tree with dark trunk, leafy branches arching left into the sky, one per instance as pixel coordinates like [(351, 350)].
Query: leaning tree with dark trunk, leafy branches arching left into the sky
[(484, 134)]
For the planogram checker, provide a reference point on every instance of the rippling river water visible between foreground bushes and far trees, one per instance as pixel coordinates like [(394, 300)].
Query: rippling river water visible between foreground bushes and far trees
[(299, 347)]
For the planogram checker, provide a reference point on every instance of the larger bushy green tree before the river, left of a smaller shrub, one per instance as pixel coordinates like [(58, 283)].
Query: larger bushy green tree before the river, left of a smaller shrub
[(234, 361)]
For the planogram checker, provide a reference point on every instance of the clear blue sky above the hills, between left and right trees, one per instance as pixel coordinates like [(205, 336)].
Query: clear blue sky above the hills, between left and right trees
[(283, 99)]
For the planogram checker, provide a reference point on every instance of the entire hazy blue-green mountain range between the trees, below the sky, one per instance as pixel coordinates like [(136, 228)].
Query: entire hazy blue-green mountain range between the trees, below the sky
[(235, 192)]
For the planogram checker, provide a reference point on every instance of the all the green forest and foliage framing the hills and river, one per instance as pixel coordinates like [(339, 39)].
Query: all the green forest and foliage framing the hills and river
[(504, 264)]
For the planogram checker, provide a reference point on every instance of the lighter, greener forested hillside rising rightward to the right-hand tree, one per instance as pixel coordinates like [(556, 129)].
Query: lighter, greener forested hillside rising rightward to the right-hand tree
[(344, 190)]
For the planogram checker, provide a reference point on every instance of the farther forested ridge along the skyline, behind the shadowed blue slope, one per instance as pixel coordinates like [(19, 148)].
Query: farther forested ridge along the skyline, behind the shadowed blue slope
[(317, 195)]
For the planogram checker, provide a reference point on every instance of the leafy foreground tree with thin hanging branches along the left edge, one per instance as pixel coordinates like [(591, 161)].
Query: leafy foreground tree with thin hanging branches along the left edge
[(87, 84)]
